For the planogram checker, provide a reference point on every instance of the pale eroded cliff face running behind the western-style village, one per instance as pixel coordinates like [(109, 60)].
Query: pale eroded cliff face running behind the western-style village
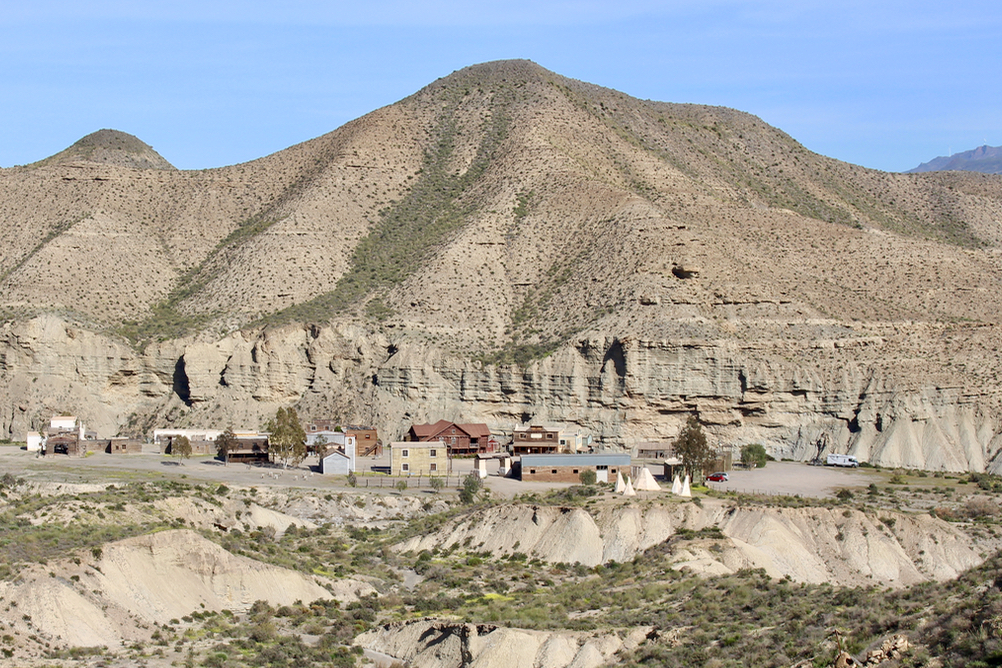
[(621, 391)]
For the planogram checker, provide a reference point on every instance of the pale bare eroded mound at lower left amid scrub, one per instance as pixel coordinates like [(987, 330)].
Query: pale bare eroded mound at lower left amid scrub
[(140, 582)]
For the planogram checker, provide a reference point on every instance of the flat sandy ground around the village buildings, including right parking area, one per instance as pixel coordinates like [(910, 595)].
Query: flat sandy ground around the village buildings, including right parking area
[(780, 478)]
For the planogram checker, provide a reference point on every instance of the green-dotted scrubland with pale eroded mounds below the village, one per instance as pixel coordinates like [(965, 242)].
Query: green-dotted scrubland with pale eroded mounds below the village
[(155, 569)]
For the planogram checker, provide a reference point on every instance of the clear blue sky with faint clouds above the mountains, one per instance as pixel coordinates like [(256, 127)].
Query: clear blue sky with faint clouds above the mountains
[(208, 84)]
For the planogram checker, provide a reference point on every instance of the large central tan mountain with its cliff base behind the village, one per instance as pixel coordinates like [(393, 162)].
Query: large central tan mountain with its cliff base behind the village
[(511, 246)]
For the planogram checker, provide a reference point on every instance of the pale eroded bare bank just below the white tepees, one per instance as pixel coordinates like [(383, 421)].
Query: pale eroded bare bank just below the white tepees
[(807, 545)]
